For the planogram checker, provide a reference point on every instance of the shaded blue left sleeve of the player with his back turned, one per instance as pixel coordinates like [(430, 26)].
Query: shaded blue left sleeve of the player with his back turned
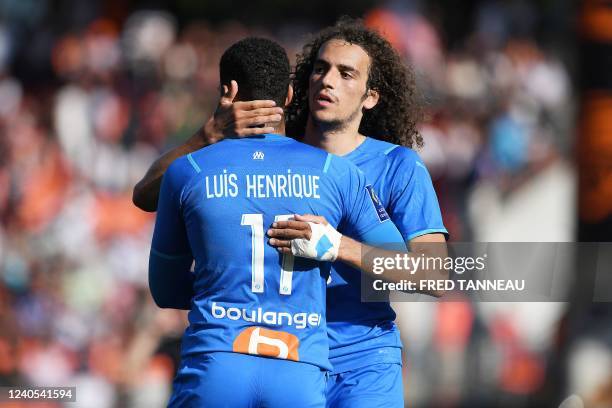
[(170, 259)]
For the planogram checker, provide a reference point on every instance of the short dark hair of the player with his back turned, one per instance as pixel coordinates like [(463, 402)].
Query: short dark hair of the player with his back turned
[(261, 68)]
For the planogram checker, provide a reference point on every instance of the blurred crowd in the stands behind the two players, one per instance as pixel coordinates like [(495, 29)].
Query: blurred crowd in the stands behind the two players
[(74, 303)]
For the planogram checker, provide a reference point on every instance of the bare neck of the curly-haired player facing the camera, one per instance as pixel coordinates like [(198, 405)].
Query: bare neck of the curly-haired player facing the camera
[(339, 141)]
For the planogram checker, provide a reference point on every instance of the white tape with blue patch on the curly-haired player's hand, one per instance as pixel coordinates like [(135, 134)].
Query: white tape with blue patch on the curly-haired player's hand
[(323, 244)]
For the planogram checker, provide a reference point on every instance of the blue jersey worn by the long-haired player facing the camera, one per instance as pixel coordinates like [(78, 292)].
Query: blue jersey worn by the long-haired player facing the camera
[(363, 333)]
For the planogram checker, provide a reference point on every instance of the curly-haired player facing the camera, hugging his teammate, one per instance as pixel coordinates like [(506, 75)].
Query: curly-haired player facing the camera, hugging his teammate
[(354, 97)]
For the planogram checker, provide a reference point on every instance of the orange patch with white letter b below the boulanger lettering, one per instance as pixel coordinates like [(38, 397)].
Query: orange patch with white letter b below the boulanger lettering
[(266, 342)]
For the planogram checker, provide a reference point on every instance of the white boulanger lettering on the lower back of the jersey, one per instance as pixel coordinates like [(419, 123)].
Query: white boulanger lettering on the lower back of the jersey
[(299, 321)]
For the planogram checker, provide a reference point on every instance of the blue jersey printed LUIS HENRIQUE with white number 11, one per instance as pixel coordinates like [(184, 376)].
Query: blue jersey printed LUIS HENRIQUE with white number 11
[(215, 206)]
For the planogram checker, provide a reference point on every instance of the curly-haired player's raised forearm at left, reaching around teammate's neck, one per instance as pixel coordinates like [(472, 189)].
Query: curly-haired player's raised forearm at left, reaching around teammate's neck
[(146, 192)]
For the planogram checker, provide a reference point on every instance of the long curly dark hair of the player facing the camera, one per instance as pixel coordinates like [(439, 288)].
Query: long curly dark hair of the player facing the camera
[(395, 116)]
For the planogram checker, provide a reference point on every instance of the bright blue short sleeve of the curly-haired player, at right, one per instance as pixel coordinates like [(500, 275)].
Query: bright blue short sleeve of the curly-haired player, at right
[(413, 205)]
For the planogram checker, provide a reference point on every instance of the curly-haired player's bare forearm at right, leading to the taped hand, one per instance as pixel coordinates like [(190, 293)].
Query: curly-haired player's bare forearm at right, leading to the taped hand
[(406, 265)]
